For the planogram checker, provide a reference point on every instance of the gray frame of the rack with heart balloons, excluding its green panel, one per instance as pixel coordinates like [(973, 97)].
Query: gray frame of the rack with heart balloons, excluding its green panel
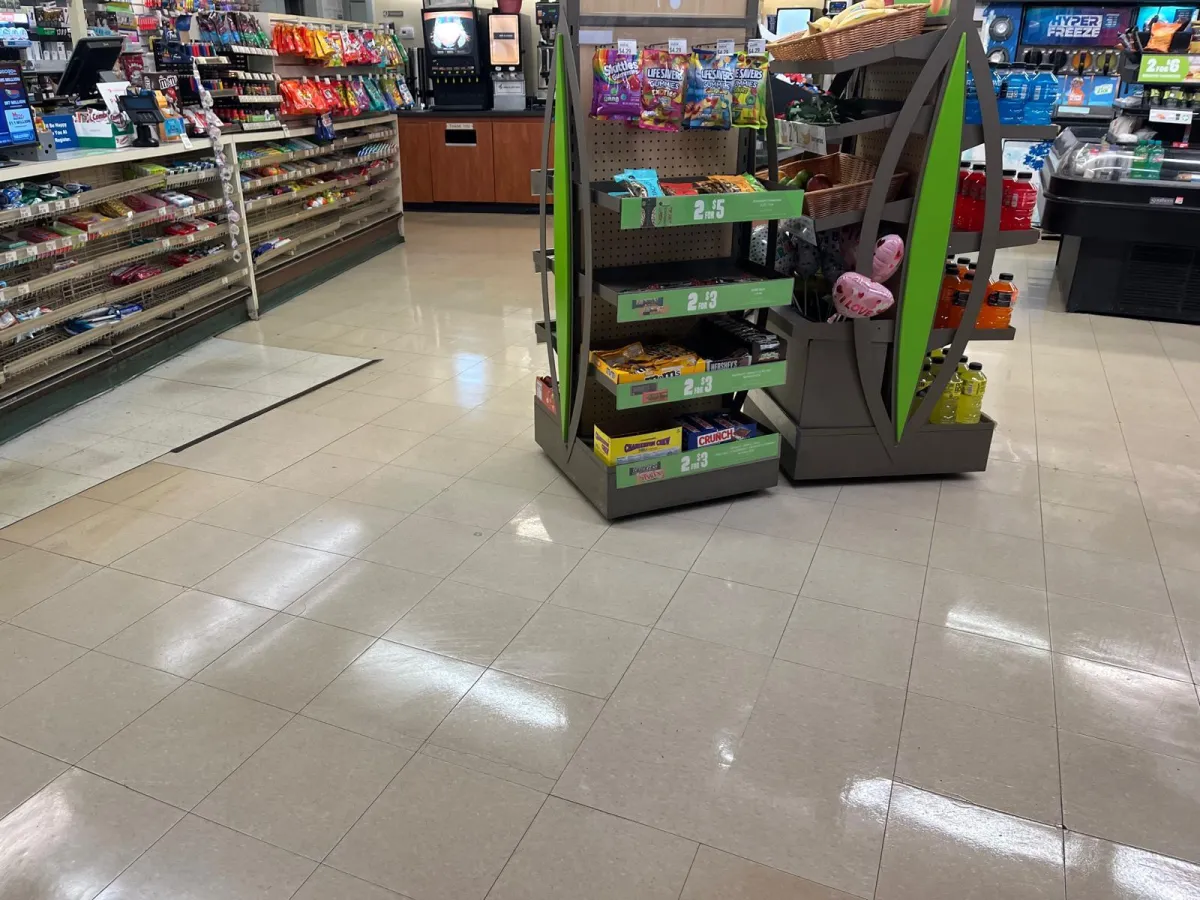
[(832, 415)]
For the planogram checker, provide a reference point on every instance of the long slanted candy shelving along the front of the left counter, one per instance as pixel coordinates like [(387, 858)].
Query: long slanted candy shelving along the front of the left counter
[(39, 356)]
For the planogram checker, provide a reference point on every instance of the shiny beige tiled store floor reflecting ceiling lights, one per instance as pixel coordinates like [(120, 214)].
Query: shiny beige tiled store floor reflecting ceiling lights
[(371, 646)]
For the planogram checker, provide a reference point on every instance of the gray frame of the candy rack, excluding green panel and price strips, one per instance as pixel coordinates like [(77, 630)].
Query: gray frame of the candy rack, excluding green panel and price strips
[(593, 305)]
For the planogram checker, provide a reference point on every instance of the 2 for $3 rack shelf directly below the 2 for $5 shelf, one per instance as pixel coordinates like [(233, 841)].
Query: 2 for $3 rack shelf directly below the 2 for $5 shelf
[(641, 293)]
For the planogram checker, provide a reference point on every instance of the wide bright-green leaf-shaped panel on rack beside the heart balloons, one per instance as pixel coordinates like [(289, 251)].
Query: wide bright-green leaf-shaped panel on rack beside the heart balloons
[(931, 237)]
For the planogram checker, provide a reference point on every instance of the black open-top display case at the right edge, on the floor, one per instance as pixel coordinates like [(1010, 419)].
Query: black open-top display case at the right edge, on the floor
[(1131, 245)]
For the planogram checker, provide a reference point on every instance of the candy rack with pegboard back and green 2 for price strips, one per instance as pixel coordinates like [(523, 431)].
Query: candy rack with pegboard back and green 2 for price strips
[(610, 253)]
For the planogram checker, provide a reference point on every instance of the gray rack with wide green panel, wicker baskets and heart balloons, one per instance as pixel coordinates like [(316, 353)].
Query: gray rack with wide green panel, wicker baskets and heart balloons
[(847, 410)]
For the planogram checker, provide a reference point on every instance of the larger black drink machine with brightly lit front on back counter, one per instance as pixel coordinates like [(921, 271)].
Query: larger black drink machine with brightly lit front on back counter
[(457, 57)]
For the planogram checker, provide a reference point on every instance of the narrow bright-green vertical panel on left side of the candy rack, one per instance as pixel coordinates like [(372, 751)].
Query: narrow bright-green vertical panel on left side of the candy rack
[(565, 229)]
